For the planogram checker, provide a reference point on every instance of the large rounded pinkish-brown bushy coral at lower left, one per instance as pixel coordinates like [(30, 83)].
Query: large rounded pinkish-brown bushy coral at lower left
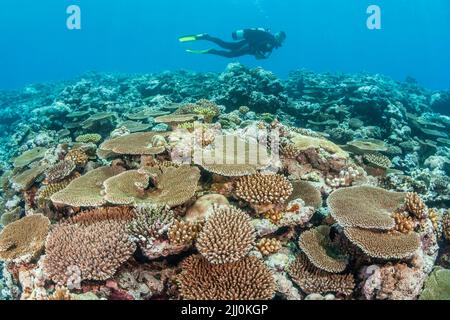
[(96, 246)]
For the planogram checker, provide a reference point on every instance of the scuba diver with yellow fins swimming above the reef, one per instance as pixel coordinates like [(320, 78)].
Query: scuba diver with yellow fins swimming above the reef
[(257, 42)]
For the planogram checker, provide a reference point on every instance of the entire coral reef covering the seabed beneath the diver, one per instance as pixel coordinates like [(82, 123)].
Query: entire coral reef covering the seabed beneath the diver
[(237, 185)]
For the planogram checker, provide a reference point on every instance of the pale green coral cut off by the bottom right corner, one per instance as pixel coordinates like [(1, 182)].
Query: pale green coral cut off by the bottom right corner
[(437, 286)]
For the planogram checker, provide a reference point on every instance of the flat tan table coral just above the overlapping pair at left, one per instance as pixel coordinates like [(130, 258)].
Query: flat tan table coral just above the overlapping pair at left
[(133, 144)]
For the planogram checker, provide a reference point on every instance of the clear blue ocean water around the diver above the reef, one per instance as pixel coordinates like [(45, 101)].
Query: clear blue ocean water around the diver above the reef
[(141, 36)]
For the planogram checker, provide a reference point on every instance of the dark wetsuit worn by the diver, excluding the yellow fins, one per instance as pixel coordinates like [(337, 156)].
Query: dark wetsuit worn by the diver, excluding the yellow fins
[(257, 42)]
